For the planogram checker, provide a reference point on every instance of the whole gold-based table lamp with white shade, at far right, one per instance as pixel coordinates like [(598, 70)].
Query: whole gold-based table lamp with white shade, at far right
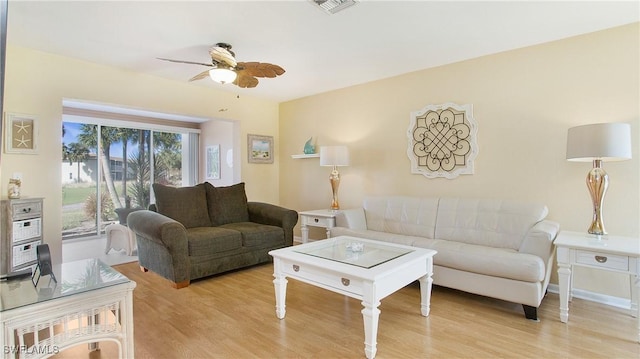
[(597, 143)]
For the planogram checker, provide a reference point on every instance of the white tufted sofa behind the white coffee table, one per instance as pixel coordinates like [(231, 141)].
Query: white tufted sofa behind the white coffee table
[(500, 249)]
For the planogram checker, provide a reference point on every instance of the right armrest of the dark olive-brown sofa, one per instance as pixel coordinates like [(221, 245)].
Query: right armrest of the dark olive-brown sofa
[(273, 215)]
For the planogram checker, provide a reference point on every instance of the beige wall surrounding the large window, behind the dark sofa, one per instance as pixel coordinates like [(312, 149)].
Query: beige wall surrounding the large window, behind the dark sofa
[(37, 82)]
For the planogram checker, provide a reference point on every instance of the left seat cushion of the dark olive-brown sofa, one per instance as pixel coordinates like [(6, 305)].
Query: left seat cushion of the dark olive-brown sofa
[(204, 241)]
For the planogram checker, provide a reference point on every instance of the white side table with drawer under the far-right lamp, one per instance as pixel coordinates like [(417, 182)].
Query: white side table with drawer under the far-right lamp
[(611, 253)]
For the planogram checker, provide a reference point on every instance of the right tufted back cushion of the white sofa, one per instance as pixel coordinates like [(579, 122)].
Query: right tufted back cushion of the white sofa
[(493, 223)]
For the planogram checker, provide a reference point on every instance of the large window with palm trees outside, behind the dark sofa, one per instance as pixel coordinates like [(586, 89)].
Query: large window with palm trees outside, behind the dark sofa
[(117, 170)]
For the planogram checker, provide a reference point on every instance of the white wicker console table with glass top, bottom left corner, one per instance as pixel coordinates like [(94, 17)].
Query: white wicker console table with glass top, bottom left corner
[(88, 302)]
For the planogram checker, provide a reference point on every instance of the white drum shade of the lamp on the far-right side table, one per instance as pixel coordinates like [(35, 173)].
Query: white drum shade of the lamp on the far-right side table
[(602, 141)]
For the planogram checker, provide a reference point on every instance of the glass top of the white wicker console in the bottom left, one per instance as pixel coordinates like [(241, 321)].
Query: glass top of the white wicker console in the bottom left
[(72, 278)]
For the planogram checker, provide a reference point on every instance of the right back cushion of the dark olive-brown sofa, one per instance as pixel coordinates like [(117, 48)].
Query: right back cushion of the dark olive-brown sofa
[(227, 204)]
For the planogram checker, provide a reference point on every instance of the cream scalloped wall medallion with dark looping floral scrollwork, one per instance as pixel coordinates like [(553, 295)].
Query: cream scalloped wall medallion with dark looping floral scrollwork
[(442, 140)]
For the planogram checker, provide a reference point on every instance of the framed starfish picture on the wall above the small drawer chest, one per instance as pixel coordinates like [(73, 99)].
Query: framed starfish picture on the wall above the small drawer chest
[(21, 133)]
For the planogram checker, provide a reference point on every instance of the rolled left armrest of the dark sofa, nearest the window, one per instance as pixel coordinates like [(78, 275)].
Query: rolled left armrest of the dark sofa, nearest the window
[(159, 229)]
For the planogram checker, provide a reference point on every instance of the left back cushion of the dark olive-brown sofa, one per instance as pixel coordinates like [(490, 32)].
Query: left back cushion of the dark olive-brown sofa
[(187, 205)]
